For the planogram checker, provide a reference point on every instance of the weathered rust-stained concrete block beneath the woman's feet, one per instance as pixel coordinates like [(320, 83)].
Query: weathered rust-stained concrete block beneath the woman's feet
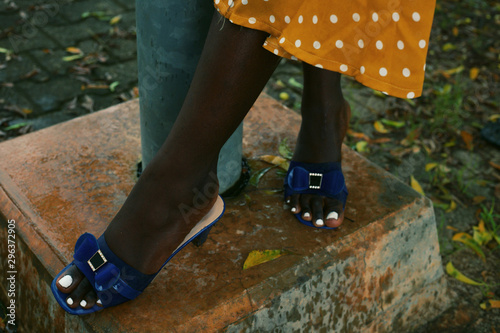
[(381, 272)]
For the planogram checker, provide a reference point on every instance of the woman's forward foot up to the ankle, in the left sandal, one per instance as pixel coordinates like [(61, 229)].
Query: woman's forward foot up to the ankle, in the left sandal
[(154, 220)]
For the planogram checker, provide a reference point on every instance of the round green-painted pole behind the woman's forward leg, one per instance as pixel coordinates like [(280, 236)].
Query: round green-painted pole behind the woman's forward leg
[(170, 37)]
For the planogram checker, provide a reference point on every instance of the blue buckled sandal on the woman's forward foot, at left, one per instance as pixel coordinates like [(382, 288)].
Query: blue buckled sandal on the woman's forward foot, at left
[(113, 280)]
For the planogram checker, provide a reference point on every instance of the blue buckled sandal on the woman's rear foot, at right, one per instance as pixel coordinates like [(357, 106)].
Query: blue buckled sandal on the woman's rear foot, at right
[(325, 179)]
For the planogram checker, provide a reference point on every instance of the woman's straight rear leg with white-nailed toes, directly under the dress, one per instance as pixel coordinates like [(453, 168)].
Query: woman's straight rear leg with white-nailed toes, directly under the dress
[(325, 119)]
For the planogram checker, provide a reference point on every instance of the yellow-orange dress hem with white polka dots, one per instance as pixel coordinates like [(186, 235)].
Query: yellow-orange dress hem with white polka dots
[(381, 43)]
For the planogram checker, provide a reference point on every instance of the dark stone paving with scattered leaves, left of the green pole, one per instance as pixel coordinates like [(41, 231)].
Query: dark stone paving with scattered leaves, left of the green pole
[(39, 84)]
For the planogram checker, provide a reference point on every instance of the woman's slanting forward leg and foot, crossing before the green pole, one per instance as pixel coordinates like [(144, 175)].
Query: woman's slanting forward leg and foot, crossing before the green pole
[(153, 221)]
